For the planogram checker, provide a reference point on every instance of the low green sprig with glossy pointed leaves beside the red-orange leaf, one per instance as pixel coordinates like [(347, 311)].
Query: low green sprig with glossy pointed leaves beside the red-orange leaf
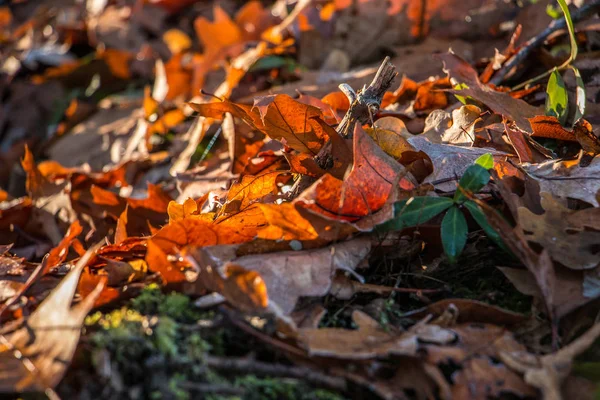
[(454, 229)]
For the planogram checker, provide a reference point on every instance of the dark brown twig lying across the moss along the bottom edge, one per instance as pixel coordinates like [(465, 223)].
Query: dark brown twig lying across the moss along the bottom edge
[(261, 368)]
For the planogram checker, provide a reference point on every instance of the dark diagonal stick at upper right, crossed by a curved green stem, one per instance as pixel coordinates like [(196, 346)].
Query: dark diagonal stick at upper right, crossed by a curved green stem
[(585, 11)]
